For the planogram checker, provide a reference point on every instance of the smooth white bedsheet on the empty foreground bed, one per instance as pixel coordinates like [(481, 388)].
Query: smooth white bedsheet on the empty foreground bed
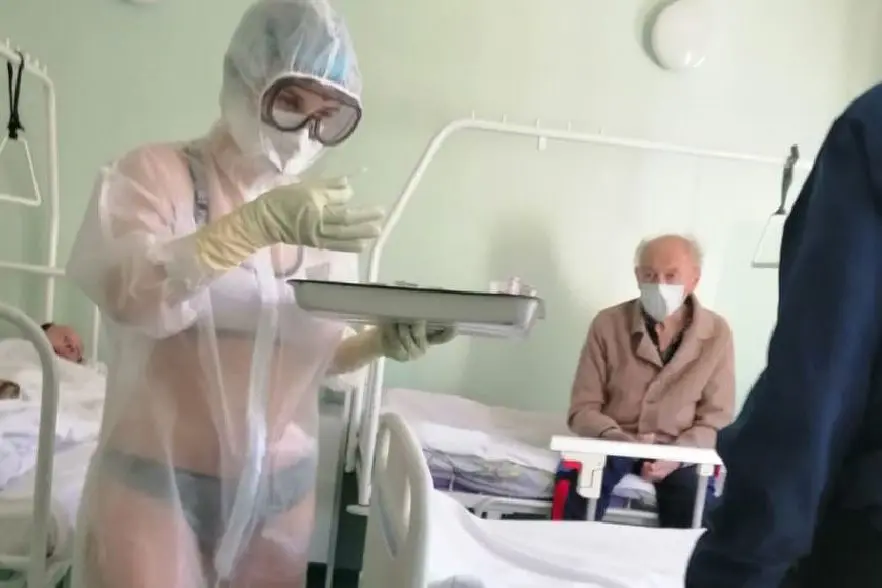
[(468, 552)]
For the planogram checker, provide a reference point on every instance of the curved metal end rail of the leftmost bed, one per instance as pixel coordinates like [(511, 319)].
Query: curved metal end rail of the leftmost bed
[(30, 330)]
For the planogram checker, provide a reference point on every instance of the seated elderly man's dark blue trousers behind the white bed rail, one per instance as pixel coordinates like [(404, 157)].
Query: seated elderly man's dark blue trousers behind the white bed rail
[(675, 495)]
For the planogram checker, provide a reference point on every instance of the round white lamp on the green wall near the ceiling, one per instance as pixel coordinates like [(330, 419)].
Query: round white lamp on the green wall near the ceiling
[(682, 33)]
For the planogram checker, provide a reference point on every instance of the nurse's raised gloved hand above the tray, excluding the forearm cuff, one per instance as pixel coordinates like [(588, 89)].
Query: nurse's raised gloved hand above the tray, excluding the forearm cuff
[(316, 214)]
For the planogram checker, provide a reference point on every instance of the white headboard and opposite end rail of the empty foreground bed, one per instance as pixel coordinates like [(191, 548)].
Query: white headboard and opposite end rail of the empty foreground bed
[(398, 529)]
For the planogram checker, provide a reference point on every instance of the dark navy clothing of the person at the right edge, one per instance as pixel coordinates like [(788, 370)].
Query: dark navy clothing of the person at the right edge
[(804, 457)]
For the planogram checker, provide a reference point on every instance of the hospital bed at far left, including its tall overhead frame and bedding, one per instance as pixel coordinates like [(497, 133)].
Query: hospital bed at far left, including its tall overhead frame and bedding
[(48, 435)]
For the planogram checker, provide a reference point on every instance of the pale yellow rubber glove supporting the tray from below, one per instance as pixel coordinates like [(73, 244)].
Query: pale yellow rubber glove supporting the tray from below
[(398, 340)]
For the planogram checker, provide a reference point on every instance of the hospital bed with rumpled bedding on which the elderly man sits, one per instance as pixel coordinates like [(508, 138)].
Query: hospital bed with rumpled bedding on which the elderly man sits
[(495, 460)]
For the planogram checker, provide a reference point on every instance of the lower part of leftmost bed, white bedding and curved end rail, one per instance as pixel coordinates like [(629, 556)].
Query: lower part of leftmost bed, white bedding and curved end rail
[(47, 438)]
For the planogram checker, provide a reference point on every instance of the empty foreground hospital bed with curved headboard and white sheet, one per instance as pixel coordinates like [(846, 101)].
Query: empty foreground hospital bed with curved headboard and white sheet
[(418, 537)]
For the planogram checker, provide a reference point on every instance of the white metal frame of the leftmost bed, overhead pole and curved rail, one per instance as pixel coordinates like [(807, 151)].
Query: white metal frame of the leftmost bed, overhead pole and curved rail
[(39, 573)]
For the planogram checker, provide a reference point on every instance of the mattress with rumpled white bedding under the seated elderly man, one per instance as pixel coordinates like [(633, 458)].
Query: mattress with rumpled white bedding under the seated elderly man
[(491, 450)]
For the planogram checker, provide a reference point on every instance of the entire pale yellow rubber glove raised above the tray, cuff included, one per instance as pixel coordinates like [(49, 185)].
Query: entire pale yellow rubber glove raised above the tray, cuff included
[(310, 214)]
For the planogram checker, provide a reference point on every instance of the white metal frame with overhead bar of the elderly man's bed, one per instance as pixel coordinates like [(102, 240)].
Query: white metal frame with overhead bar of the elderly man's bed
[(365, 404)]
